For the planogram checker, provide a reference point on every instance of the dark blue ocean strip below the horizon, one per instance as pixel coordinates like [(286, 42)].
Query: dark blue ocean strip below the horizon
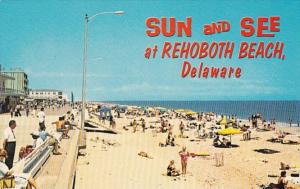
[(282, 111)]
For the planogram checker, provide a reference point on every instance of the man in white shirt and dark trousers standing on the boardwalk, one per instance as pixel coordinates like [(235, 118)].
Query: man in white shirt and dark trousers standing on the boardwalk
[(9, 143)]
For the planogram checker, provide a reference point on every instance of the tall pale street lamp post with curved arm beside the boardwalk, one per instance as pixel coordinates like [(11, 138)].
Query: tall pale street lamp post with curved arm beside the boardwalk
[(85, 60)]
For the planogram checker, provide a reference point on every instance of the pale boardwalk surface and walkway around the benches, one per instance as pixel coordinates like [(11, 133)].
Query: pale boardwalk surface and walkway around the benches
[(57, 172)]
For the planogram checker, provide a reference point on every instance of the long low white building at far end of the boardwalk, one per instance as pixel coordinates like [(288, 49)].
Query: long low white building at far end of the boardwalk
[(47, 95)]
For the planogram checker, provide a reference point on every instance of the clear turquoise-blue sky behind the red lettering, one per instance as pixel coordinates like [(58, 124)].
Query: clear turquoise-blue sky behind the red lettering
[(45, 38)]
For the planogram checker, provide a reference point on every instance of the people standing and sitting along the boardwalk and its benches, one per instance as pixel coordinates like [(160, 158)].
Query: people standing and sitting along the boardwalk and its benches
[(7, 153)]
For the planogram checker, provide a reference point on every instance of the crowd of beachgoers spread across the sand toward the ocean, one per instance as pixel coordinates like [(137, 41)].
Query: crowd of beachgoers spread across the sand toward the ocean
[(206, 126)]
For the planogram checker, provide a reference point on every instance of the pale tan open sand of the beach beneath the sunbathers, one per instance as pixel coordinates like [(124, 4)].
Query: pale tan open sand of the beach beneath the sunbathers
[(119, 166)]
